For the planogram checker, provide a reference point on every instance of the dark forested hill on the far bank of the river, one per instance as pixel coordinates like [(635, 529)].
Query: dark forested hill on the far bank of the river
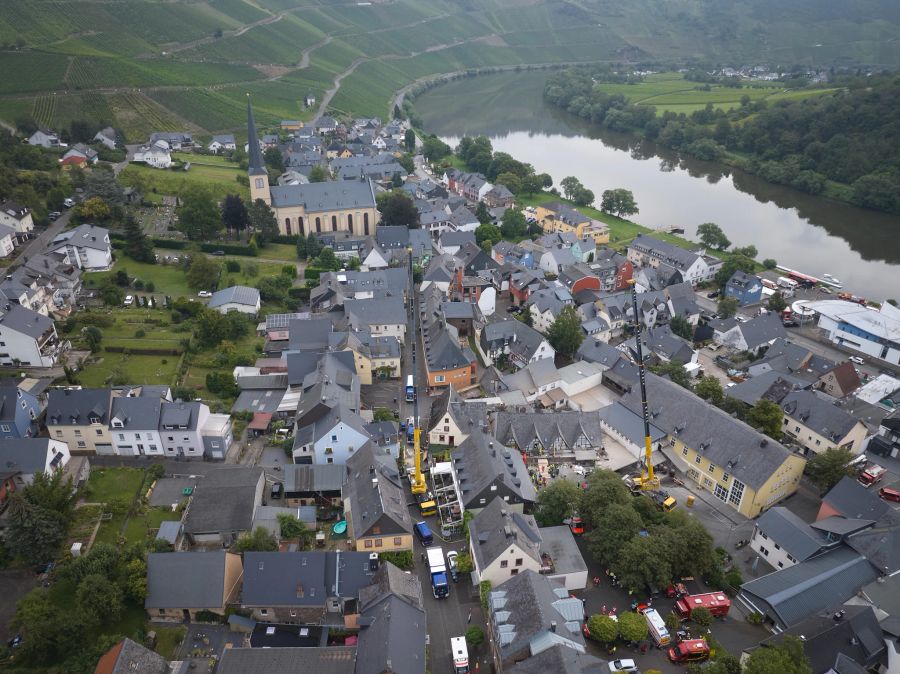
[(844, 143)]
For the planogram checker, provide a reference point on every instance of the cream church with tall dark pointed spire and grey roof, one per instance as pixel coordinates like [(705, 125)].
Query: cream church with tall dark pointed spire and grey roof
[(337, 206)]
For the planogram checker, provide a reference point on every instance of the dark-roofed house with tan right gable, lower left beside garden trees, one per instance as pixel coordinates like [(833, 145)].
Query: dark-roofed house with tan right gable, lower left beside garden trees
[(182, 584)]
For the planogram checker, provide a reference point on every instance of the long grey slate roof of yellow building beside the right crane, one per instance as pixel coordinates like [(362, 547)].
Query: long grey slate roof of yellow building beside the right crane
[(725, 441)]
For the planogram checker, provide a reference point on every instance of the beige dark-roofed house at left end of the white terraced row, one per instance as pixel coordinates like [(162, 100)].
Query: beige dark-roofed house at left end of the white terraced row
[(80, 418)]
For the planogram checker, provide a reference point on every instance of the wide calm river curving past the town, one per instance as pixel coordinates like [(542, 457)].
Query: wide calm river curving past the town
[(800, 231)]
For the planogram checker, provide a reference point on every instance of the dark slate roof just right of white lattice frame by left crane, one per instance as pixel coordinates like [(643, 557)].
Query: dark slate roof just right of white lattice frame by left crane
[(479, 465)]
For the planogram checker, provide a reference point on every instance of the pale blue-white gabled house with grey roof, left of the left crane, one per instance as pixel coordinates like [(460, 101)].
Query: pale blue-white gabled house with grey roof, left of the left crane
[(331, 438)]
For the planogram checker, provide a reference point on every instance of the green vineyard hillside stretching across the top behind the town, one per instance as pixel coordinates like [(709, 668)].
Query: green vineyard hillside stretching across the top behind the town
[(144, 64)]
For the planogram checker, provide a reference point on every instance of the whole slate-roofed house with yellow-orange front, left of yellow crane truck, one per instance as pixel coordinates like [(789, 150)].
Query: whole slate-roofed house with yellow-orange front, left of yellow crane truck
[(375, 503)]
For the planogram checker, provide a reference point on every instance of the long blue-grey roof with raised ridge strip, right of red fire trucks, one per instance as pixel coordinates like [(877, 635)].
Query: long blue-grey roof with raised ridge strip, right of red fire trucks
[(802, 590)]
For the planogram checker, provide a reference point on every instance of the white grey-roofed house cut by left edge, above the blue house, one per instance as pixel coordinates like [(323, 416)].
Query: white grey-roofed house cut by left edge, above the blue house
[(28, 338)]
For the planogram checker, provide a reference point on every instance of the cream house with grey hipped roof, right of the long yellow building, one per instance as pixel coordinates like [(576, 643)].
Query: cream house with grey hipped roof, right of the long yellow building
[(816, 425)]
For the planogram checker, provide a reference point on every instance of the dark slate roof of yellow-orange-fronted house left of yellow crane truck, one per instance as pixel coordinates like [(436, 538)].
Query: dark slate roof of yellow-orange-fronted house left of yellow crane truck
[(383, 506)]
